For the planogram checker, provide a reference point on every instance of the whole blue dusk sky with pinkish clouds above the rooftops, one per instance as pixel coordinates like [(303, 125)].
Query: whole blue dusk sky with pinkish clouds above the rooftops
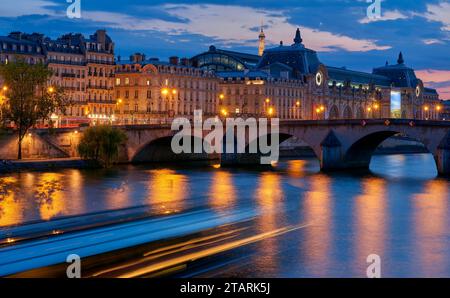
[(338, 29)]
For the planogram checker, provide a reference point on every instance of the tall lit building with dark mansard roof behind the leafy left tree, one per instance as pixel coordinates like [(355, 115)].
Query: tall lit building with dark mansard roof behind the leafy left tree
[(83, 67)]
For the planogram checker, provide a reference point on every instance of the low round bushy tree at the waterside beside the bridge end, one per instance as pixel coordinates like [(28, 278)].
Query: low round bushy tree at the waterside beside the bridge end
[(101, 144)]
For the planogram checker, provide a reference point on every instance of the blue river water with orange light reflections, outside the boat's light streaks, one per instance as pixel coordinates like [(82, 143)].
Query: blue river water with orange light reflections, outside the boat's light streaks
[(399, 211)]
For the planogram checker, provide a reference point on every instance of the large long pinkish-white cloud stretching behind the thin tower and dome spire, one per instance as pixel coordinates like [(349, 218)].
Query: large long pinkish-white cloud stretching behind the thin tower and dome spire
[(232, 25)]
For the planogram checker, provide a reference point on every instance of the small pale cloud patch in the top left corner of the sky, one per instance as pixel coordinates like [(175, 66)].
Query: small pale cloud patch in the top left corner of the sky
[(17, 8)]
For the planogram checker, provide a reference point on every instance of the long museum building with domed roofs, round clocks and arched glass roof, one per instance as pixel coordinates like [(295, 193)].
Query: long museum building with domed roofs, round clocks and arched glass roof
[(291, 83)]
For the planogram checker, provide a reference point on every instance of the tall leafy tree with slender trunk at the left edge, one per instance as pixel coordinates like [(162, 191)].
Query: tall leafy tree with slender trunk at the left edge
[(28, 99)]
